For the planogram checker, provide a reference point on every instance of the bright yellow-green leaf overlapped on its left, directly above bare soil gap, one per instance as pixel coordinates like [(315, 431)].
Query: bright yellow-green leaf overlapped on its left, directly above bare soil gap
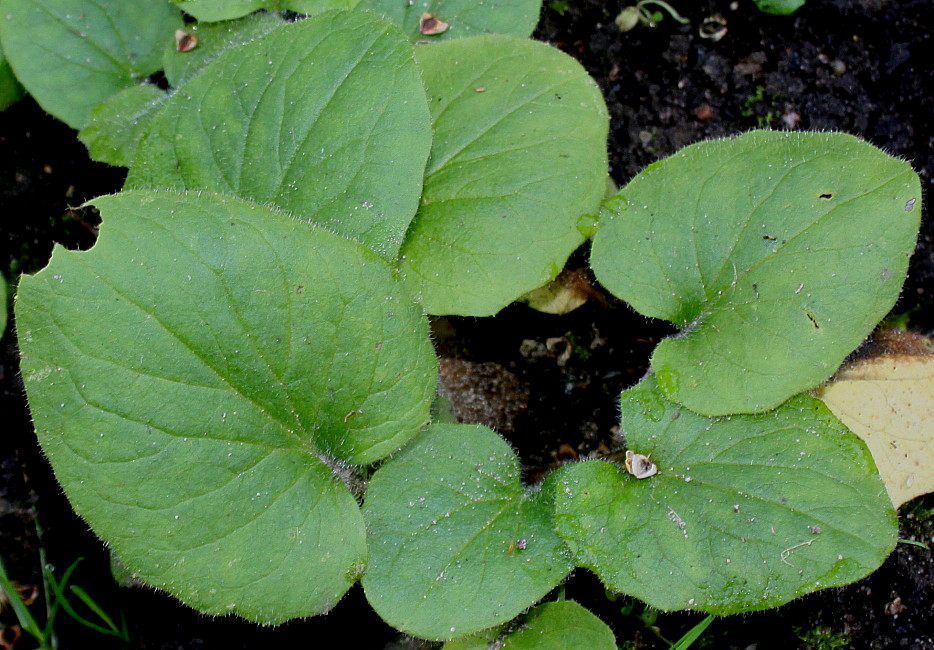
[(519, 154)]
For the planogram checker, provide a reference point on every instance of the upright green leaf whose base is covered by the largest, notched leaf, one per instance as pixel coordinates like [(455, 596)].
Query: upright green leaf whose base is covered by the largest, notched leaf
[(325, 117)]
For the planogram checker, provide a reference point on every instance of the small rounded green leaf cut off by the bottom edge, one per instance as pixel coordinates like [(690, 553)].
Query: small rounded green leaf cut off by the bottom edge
[(558, 626)]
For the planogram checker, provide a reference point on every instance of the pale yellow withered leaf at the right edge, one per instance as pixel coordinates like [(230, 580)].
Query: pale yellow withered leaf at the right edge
[(888, 401)]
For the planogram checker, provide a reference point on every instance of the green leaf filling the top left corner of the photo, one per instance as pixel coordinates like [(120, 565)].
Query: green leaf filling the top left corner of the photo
[(73, 54)]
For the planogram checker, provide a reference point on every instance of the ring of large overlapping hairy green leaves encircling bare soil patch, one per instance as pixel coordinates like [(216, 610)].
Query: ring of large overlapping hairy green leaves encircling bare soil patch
[(244, 355)]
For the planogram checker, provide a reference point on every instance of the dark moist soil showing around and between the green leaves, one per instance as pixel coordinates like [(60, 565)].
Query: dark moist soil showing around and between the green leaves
[(549, 384)]
